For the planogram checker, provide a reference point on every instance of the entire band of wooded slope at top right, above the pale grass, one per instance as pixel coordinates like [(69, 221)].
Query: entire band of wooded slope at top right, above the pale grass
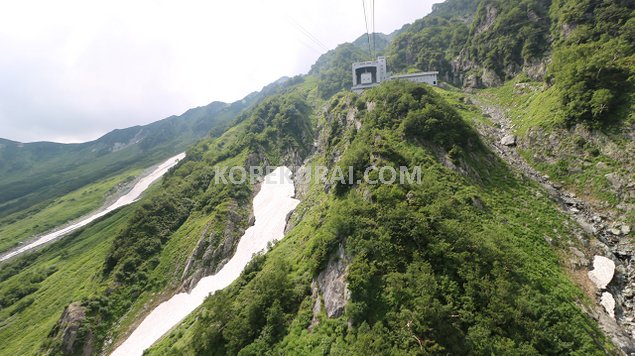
[(590, 43)]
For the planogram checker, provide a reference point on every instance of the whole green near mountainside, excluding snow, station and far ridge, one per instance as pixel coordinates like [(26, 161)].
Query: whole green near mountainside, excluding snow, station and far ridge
[(525, 155)]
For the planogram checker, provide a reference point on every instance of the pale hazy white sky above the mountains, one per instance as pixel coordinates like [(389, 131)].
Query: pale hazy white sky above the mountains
[(70, 71)]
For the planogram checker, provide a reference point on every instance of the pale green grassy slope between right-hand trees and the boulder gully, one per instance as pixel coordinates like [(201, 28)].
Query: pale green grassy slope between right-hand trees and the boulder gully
[(578, 163)]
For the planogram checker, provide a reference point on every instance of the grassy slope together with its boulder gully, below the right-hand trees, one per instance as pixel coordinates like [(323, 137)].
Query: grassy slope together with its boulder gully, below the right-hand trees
[(586, 170)]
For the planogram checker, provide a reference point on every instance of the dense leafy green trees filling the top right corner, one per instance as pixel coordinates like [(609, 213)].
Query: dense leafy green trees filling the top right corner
[(593, 62)]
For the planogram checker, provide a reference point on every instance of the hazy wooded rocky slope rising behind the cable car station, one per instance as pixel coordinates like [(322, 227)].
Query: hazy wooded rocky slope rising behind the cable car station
[(502, 37)]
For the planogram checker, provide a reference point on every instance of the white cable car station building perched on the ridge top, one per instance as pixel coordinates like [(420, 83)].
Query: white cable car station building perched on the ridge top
[(370, 73)]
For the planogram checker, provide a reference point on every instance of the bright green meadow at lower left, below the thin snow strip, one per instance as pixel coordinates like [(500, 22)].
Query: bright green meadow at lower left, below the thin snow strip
[(77, 260)]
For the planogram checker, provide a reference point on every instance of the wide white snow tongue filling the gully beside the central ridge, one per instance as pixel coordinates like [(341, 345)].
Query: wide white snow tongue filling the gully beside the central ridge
[(271, 206)]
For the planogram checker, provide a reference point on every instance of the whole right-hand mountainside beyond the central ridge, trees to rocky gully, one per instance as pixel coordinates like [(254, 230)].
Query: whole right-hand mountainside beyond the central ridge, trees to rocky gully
[(562, 103)]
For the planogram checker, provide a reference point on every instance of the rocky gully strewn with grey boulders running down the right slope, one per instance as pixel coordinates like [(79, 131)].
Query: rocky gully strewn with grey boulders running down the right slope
[(621, 252)]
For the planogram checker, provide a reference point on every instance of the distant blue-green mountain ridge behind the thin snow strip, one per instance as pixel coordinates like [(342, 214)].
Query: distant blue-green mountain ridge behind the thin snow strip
[(33, 173)]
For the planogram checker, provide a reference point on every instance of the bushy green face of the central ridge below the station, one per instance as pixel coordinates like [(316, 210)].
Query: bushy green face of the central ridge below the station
[(529, 305)]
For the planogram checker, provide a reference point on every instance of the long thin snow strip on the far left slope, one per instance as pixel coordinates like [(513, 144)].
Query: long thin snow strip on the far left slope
[(129, 198)]
